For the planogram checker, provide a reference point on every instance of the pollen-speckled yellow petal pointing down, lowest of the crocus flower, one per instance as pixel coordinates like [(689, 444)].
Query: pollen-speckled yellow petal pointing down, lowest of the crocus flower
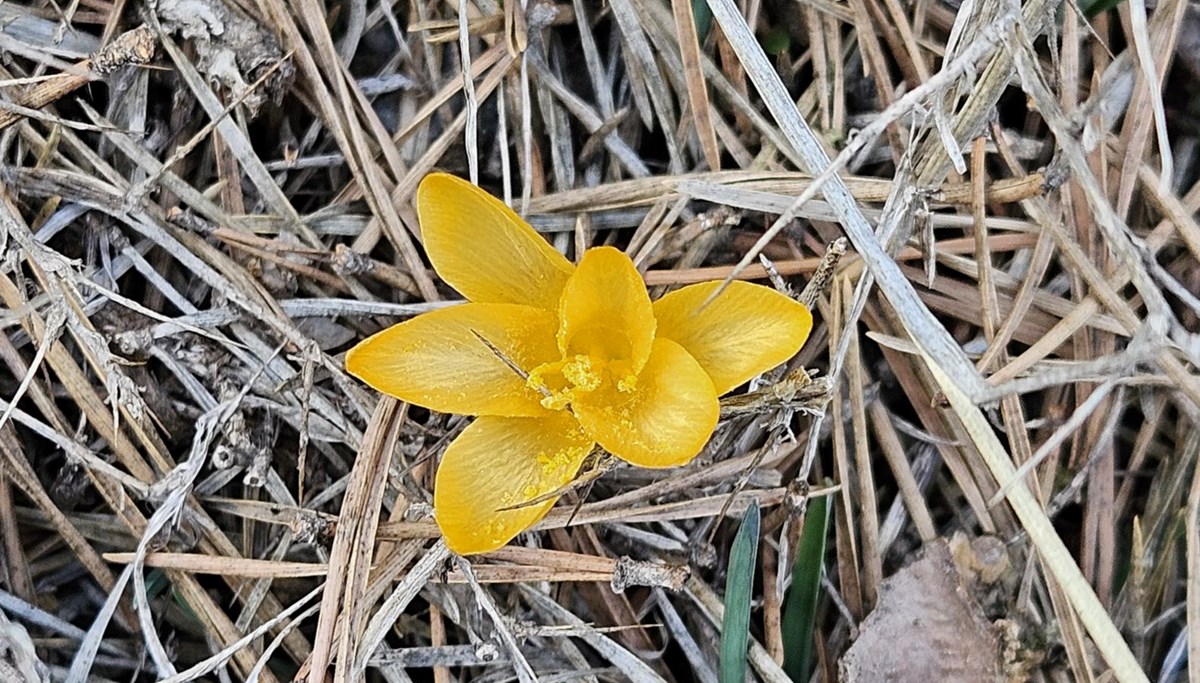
[(501, 463)]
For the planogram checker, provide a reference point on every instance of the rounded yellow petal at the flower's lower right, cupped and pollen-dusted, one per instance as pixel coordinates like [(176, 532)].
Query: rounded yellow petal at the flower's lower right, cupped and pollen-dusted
[(665, 422)]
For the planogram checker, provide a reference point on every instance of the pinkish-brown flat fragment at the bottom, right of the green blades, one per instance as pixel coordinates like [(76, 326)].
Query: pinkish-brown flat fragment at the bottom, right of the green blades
[(927, 627)]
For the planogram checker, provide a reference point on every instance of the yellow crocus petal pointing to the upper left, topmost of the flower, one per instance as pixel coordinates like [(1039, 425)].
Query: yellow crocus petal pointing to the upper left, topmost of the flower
[(484, 250)]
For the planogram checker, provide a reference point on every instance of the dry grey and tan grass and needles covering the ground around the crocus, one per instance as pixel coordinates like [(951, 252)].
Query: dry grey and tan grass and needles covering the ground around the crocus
[(191, 487)]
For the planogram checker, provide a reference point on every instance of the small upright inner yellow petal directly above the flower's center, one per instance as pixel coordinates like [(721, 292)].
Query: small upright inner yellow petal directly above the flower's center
[(607, 314)]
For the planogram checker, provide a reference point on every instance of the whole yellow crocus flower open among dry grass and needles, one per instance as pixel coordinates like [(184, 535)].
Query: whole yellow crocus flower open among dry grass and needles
[(555, 358)]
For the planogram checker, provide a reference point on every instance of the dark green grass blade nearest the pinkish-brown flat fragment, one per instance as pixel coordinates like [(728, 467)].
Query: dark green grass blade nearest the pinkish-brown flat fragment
[(801, 606)]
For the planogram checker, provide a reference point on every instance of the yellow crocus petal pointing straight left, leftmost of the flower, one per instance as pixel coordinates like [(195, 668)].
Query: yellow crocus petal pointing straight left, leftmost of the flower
[(436, 361)]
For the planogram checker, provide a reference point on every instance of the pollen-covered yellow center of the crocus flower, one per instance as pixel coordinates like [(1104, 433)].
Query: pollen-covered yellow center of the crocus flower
[(595, 358)]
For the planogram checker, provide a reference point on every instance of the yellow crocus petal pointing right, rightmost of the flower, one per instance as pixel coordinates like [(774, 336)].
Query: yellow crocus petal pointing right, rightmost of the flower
[(747, 331)]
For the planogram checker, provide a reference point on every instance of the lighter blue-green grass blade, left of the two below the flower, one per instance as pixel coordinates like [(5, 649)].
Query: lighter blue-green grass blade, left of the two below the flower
[(739, 591)]
